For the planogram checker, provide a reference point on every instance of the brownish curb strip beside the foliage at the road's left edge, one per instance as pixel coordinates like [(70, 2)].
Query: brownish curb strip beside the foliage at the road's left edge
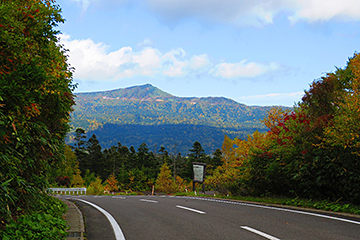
[(75, 221)]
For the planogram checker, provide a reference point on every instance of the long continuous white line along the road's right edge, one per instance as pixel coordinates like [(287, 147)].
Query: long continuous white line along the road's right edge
[(277, 209)]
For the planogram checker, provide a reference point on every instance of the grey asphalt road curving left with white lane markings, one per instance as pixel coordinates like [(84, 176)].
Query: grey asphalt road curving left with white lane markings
[(168, 217)]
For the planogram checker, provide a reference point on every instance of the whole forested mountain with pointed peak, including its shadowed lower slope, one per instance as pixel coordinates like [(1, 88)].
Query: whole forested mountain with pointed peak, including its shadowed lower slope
[(147, 114)]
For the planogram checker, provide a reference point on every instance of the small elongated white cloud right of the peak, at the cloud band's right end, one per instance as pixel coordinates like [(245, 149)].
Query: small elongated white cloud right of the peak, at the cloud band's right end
[(243, 69)]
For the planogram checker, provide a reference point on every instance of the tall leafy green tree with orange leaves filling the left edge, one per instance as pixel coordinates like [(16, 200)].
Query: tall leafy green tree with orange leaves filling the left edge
[(35, 102)]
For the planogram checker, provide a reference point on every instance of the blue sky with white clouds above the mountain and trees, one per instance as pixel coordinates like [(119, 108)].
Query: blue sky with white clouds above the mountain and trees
[(256, 52)]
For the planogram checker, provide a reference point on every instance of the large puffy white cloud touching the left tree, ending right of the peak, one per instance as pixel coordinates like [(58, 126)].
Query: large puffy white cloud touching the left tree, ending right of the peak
[(93, 61)]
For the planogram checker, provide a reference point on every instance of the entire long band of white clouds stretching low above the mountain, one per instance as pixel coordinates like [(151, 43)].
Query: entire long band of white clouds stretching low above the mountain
[(94, 61)]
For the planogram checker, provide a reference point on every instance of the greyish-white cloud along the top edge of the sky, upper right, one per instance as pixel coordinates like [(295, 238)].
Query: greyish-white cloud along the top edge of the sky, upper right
[(257, 12)]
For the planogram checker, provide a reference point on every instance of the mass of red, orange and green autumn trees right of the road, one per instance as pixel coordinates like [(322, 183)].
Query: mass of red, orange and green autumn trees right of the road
[(312, 151)]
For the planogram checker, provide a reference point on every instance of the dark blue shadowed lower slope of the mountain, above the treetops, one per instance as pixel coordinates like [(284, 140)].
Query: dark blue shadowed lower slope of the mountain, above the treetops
[(175, 138)]
